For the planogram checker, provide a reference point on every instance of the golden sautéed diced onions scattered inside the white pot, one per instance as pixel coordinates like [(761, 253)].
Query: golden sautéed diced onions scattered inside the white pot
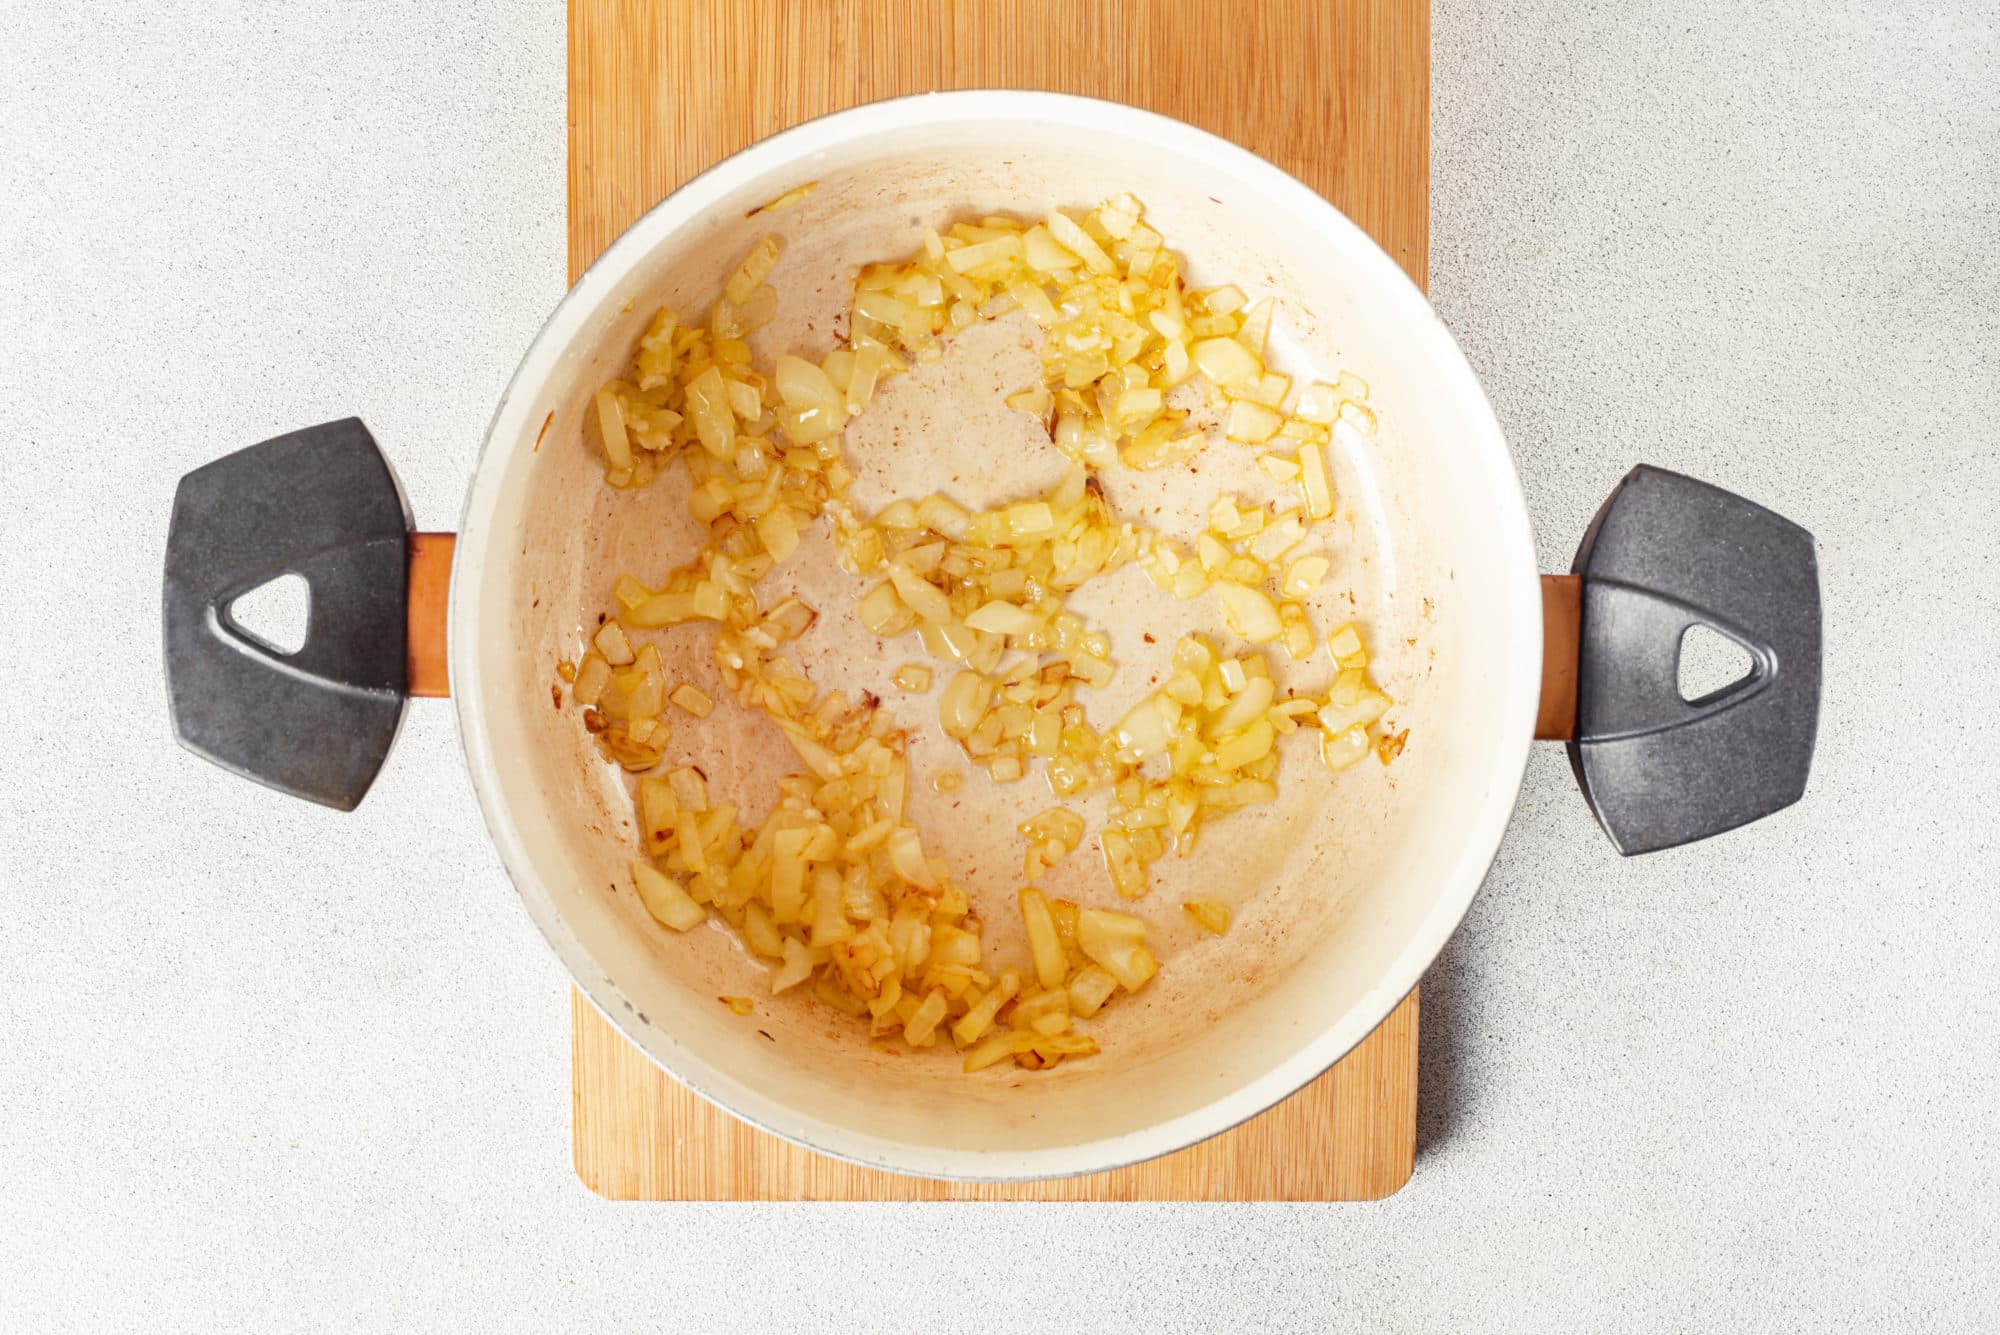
[(835, 884)]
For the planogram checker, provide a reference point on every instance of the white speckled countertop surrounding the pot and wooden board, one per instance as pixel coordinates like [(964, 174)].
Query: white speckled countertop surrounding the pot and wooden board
[(271, 1068)]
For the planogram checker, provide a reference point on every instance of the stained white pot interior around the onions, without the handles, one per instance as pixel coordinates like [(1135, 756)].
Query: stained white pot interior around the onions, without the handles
[(1343, 890)]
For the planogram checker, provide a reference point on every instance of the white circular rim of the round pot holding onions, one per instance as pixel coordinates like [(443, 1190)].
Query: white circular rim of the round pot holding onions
[(1481, 832)]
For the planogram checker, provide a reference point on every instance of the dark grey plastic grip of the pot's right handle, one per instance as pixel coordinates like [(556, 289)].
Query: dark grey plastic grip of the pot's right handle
[(1665, 555)]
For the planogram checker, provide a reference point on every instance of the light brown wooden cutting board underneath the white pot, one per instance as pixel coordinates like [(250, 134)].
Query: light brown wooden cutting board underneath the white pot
[(1333, 91)]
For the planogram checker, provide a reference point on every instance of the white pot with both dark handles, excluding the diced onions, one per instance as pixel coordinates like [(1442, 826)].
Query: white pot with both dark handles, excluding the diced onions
[(1347, 888)]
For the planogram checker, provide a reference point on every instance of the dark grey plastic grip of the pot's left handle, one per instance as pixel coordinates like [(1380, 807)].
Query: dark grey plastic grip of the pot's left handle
[(321, 505)]
